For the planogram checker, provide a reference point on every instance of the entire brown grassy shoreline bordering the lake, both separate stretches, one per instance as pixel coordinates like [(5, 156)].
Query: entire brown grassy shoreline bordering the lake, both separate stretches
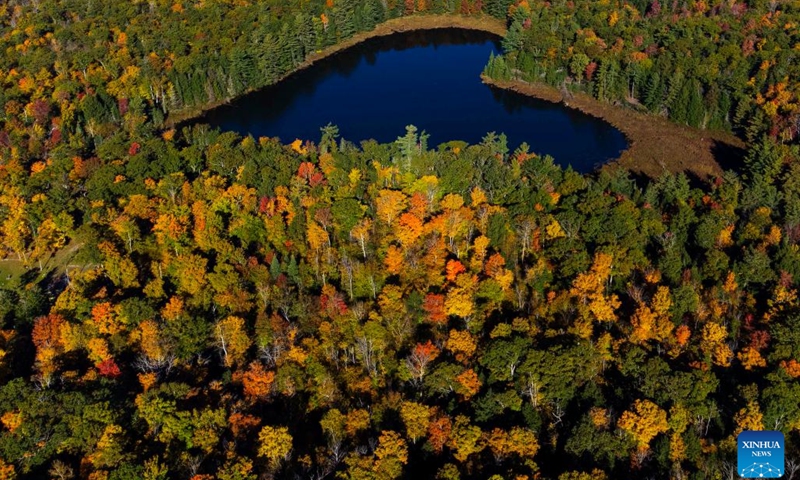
[(655, 144)]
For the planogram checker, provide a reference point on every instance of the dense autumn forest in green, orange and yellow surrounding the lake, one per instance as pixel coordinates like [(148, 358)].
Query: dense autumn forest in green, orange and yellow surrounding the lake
[(178, 302)]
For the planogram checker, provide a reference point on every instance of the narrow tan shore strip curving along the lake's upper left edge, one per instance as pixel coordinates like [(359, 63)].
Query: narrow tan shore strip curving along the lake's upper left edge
[(412, 23)]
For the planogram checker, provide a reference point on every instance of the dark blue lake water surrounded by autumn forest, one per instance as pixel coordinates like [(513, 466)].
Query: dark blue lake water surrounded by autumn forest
[(429, 79)]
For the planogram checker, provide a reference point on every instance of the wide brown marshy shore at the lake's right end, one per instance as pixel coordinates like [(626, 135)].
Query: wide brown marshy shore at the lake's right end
[(655, 143)]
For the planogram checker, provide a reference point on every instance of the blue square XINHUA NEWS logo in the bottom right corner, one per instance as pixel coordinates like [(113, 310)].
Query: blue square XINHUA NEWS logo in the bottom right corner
[(760, 454)]
